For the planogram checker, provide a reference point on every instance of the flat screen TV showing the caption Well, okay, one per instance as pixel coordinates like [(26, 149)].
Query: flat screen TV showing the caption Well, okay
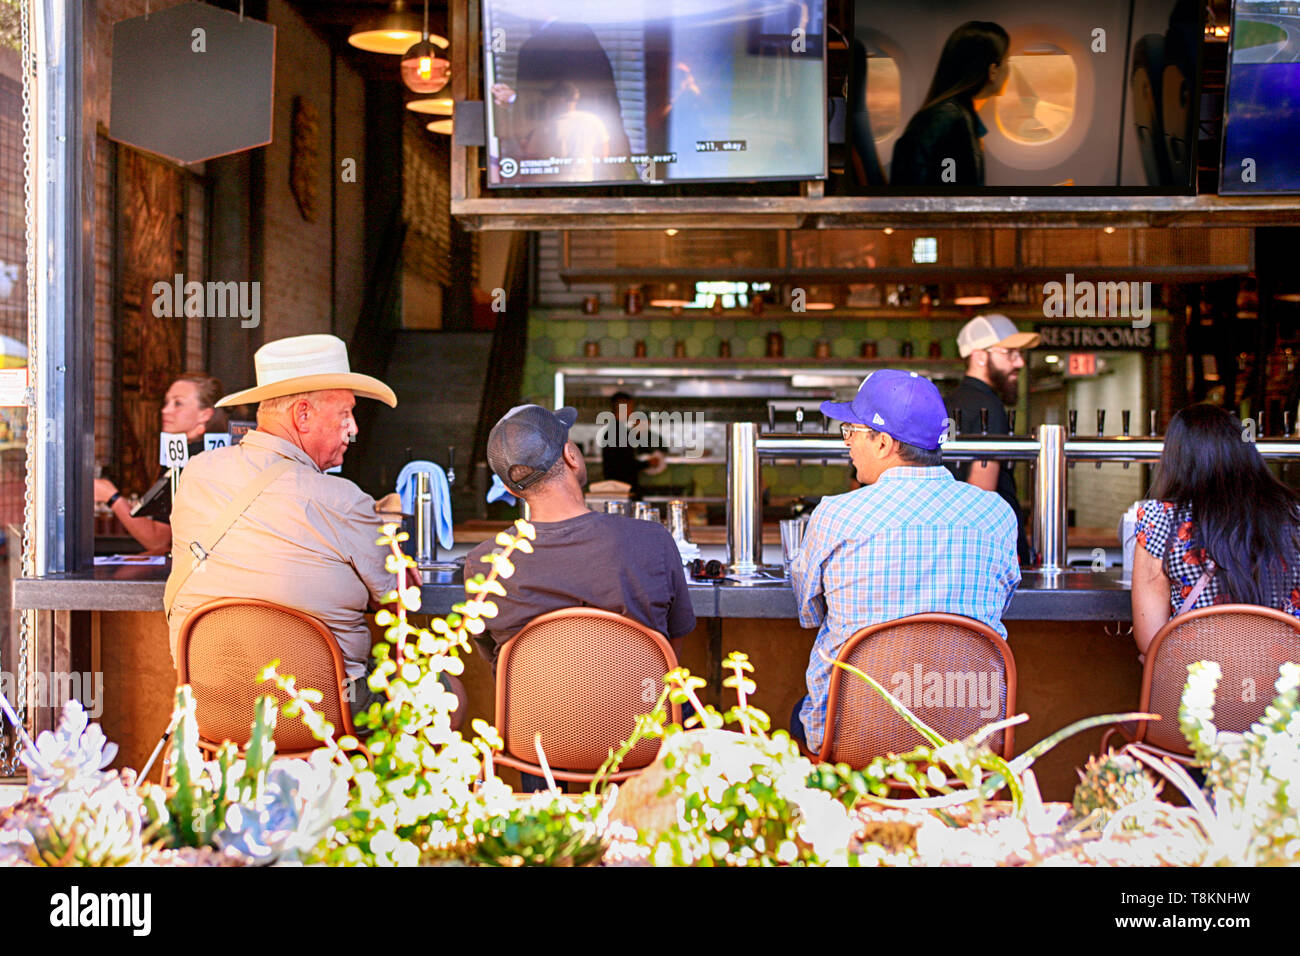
[(586, 93)]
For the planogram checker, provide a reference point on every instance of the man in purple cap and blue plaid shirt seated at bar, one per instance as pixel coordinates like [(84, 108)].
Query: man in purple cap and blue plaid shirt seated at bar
[(911, 540)]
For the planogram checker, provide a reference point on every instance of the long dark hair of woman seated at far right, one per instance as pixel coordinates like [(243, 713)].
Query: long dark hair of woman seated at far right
[(1247, 522)]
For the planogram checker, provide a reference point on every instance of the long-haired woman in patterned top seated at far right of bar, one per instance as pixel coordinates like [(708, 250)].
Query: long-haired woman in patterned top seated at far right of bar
[(1219, 529)]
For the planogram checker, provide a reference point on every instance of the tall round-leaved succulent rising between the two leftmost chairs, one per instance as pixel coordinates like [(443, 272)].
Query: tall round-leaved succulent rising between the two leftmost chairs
[(415, 790)]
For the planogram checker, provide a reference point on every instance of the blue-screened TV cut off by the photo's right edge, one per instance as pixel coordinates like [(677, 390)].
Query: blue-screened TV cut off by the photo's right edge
[(1262, 114)]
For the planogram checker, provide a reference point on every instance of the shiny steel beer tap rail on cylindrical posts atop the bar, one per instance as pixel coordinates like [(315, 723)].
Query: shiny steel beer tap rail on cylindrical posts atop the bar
[(1051, 449)]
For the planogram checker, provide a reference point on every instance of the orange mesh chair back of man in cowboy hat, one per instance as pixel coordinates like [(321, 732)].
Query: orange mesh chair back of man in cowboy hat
[(223, 648)]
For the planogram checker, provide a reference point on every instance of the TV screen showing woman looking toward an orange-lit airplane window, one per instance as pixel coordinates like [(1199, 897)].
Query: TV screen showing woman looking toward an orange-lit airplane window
[(1086, 98)]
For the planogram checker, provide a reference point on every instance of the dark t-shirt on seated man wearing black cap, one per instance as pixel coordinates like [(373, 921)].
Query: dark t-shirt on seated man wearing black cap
[(613, 563)]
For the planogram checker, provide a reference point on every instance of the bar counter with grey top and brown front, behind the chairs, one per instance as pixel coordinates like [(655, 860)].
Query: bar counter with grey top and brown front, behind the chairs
[(1071, 661)]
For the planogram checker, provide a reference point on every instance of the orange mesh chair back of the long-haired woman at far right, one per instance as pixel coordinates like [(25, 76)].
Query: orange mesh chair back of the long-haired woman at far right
[(1247, 642)]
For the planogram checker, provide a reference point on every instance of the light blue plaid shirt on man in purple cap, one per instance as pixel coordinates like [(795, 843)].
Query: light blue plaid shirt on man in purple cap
[(915, 542)]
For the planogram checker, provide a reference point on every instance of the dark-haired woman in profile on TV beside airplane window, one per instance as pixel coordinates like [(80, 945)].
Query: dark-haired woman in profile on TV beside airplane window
[(947, 128)]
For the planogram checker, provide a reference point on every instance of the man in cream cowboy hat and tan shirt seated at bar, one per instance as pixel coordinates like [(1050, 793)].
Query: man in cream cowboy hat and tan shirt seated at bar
[(306, 539)]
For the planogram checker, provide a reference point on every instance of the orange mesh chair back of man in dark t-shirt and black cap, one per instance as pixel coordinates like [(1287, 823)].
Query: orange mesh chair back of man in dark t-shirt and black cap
[(579, 677)]
